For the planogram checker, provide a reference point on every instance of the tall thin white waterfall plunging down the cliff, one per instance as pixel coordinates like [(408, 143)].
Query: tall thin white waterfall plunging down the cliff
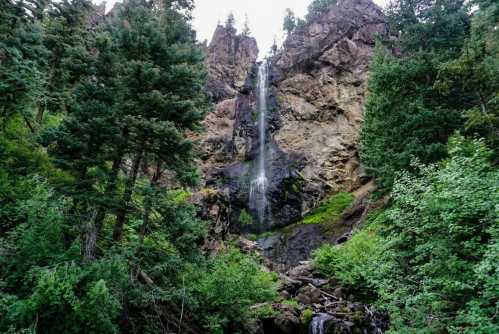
[(258, 185)]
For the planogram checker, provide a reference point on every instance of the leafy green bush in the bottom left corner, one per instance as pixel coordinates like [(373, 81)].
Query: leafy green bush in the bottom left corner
[(71, 299)]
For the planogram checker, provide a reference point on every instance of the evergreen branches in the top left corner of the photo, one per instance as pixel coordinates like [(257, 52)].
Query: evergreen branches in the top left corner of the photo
[(22, 59)]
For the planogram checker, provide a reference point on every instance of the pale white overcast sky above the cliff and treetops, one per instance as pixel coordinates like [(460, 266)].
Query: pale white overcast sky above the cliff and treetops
[(265, 17)]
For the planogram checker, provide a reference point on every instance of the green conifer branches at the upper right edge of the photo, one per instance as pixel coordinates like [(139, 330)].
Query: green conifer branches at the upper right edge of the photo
[(473, 77)]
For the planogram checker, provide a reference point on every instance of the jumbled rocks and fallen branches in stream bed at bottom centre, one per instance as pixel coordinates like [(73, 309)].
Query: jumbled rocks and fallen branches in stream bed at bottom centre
[(312, 304)]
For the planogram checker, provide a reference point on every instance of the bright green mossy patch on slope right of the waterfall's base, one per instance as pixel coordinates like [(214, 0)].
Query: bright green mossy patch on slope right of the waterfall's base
[(330, 210)]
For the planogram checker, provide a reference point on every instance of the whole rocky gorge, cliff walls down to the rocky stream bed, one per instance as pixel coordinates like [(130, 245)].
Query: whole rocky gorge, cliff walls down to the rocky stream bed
[(303, 129)]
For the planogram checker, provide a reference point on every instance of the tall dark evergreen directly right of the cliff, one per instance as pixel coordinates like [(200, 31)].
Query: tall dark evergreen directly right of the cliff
[(406, 115)]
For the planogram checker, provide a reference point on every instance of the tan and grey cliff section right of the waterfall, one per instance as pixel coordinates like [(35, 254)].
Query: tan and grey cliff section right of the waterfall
[(321, 79)]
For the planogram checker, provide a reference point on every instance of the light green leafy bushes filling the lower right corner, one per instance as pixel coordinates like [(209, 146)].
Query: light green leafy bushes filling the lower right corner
[(429, 255)]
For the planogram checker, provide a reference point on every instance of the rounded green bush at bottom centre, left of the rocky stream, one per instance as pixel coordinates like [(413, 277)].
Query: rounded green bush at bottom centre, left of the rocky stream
[(231, 283)]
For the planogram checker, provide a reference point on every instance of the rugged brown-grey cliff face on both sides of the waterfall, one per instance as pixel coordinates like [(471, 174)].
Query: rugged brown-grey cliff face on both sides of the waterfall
[(315, 110)]
